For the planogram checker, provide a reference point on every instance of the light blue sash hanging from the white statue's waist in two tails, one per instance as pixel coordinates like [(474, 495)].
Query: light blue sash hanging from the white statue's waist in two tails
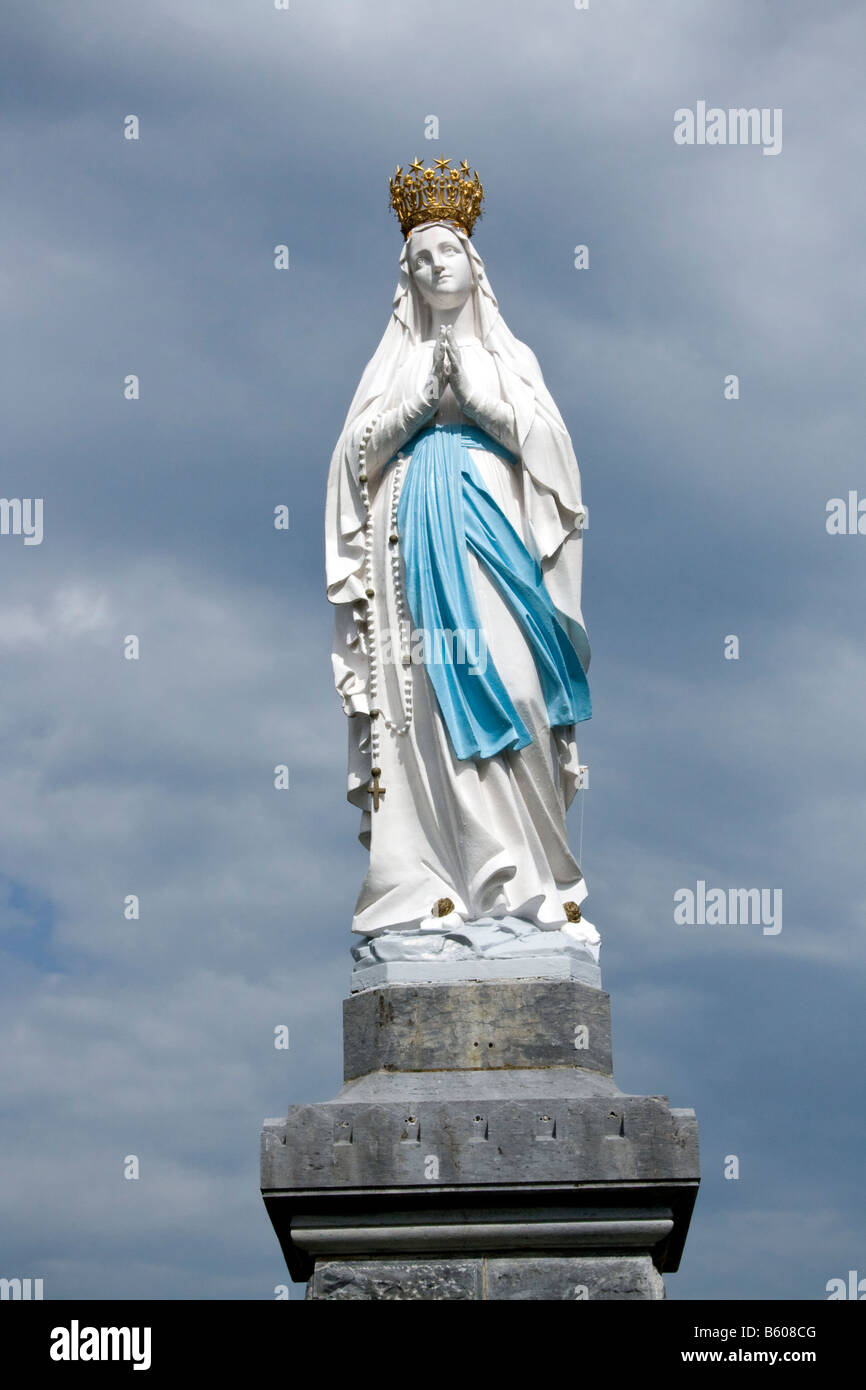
[(444, 514)]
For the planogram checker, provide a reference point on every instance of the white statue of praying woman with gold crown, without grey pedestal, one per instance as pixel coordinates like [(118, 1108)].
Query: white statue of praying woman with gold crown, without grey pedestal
[(454, 561)]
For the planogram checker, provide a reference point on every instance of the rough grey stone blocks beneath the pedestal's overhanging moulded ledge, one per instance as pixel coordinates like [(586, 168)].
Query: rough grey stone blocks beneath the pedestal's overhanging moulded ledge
[(539, 1278)]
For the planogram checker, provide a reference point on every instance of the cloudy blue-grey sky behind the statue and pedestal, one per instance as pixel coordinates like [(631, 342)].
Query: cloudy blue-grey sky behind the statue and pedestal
[(708, 519)]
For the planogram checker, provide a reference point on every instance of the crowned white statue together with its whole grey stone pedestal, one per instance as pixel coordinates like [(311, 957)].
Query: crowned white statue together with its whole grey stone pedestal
[(476, 1025)]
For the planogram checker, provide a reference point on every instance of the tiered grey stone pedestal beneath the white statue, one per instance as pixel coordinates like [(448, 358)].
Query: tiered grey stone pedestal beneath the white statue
[(482, 1150)]
